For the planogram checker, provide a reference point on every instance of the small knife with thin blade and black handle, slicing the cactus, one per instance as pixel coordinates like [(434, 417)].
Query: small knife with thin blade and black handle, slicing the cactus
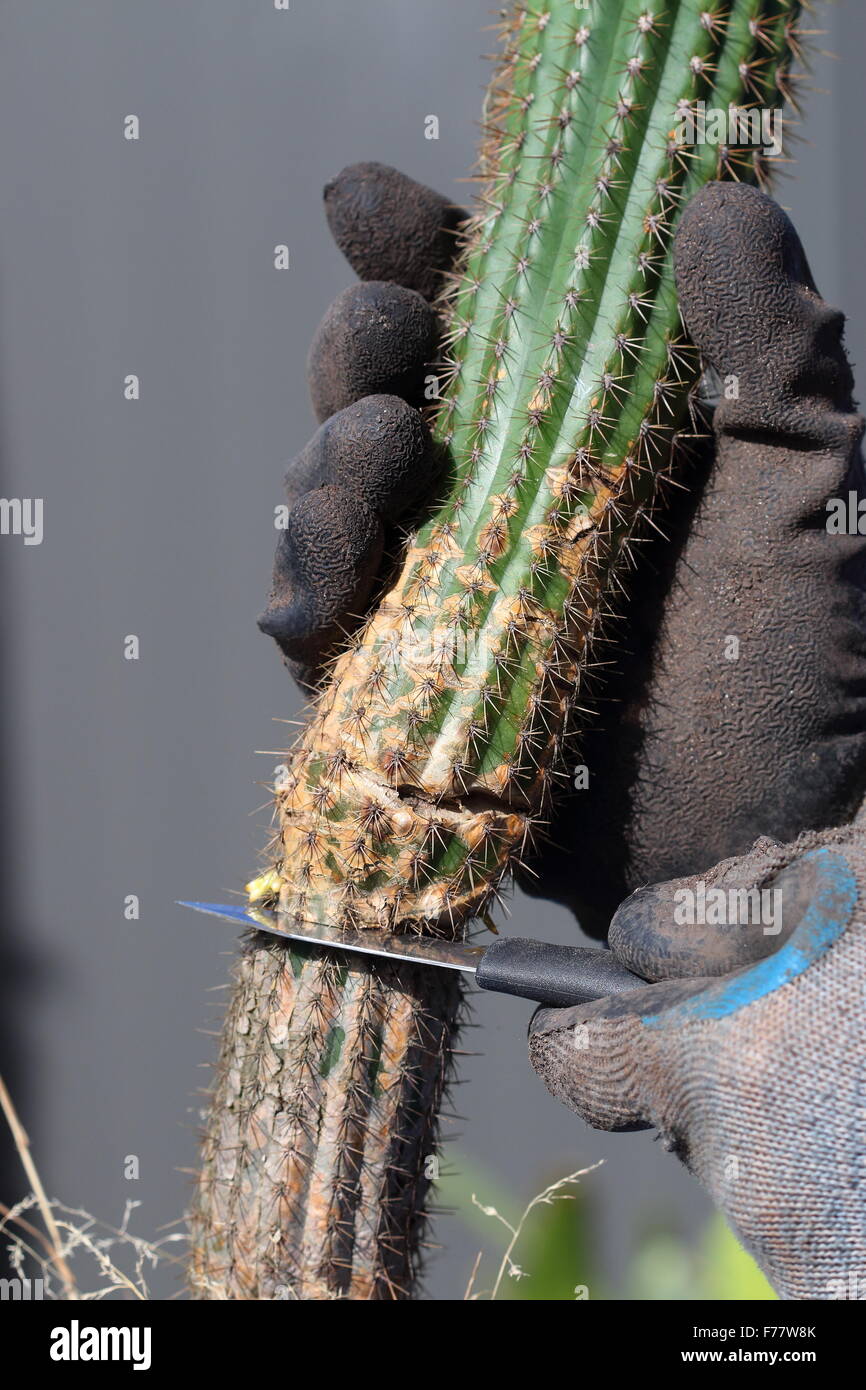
[(539, 971)]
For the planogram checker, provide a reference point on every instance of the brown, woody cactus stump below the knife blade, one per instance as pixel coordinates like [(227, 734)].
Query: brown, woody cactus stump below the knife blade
[(322, 1131)]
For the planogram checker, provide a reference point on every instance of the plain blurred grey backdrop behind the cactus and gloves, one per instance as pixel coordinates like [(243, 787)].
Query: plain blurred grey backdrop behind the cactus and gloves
[(140, 778)]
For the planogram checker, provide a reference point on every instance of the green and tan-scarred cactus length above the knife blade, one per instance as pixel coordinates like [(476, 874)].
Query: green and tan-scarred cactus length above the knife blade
[(436, 744)]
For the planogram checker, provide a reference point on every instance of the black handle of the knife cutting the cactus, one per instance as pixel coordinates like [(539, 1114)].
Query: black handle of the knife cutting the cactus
[(553, 975)]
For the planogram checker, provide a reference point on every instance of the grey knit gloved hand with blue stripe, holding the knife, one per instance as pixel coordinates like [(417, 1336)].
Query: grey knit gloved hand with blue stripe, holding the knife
[(755, 1078)]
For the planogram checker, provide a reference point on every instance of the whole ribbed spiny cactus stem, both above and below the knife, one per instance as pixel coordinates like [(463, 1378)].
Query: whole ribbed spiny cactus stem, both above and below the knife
[(433, 751)]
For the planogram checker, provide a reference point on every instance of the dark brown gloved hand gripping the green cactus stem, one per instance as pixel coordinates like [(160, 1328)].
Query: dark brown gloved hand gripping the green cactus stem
[(736, 705)]
